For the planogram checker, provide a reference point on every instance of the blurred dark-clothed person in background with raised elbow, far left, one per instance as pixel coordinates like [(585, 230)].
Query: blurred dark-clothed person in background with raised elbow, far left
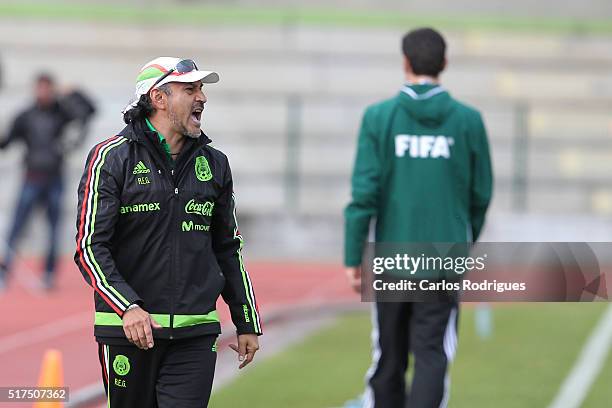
[(42, 128)]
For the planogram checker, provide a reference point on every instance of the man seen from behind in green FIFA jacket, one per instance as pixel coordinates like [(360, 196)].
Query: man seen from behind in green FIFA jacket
[(423, 173)]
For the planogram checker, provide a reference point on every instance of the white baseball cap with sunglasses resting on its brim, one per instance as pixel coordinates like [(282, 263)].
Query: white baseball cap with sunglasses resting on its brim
[(163, 70)]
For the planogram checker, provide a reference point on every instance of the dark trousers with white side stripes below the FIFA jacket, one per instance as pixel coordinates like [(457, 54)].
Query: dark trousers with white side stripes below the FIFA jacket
[(429, 330)]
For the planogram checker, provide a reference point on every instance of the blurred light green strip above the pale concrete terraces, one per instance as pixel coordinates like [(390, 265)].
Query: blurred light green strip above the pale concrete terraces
[(231, 14)]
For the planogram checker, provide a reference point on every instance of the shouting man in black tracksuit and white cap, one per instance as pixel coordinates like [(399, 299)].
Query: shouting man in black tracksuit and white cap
[(158, 241)]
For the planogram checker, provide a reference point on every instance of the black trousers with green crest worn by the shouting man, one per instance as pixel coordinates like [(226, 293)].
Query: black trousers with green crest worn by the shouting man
[(174, 373)]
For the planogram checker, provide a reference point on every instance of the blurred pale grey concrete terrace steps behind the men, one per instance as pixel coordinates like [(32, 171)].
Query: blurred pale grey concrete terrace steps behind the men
[(286, 86)]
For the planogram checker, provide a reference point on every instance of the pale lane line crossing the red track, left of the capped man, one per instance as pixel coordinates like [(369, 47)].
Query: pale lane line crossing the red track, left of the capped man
[(45, 332)]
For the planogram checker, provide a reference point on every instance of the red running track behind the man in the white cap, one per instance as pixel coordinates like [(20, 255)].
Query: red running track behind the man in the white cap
[(33, 321)]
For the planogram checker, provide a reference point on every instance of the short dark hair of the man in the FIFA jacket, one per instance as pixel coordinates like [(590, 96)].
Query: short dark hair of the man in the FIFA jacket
[(425, 49)]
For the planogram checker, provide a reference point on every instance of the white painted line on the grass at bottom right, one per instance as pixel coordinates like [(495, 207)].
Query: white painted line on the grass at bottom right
[(576, 386)]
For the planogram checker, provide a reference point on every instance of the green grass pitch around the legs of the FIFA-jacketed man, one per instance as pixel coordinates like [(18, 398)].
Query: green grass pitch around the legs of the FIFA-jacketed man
[(522, 365)]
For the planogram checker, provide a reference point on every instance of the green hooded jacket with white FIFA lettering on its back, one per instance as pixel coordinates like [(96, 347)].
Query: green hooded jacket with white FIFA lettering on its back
[(422, 170)]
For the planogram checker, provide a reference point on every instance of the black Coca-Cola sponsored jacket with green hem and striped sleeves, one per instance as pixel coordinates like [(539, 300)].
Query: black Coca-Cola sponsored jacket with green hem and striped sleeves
[(163, 235)]
